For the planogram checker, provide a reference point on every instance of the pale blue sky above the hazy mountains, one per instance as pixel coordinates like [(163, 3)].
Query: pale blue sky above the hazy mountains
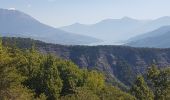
[(59, 13)]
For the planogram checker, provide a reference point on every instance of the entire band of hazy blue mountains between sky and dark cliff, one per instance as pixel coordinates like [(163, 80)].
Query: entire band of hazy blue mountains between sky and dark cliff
[(142, 33)]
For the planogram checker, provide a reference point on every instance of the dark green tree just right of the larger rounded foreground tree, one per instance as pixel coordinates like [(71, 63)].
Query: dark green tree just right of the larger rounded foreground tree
[(71, 76)]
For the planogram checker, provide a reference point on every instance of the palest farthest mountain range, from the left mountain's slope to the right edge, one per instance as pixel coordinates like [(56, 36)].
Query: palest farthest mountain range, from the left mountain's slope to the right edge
[(115, 30)]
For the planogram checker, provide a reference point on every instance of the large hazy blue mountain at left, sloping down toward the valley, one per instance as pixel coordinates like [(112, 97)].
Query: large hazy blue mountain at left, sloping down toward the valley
[(16, 23)]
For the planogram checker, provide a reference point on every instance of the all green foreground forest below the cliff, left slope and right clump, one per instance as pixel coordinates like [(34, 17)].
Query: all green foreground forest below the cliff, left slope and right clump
[(27, 74)]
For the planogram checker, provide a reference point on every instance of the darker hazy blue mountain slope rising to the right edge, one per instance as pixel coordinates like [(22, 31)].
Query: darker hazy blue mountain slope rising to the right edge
[(159, 38)]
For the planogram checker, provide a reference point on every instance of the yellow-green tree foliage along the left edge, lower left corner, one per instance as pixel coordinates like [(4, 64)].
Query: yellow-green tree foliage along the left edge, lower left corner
[(11, 79)]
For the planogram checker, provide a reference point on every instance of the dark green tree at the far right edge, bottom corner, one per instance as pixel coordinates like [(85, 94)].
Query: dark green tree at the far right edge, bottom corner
[(159, 81)]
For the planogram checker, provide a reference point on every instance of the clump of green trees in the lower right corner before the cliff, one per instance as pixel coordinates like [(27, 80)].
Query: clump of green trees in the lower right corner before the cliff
[(156, 86)]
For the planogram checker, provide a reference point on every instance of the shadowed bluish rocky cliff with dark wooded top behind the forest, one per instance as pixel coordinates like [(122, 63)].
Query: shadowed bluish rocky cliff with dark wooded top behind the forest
[(116, 62)]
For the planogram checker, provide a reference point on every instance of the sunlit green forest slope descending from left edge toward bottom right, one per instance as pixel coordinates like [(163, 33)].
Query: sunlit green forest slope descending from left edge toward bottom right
[(29, 75)]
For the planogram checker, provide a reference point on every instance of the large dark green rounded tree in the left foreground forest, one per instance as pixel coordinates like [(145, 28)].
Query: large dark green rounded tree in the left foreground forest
[(45, 79)]
